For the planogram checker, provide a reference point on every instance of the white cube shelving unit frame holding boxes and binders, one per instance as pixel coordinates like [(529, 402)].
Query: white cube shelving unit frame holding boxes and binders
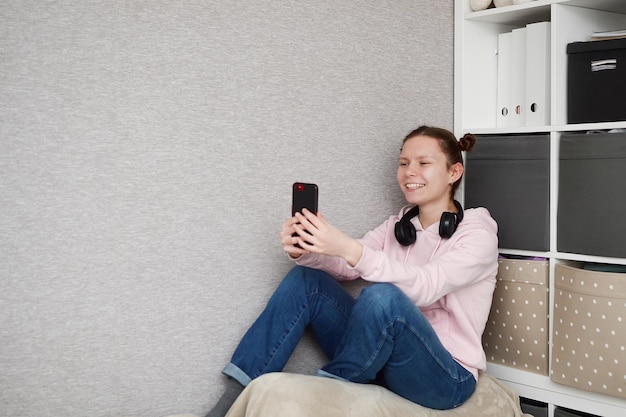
[(476, 37)]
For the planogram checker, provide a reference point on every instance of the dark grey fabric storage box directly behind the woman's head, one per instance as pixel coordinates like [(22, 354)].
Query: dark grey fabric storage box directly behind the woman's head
[(510, 176)]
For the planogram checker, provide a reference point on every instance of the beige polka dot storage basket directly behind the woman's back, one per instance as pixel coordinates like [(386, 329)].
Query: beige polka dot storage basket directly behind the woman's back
[(516, 334)]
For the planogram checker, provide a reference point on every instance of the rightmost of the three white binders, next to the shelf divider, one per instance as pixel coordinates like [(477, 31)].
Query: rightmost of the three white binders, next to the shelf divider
[(537, 101)]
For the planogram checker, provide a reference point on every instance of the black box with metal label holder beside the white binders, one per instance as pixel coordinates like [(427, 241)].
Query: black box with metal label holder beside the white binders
[(596, 81)]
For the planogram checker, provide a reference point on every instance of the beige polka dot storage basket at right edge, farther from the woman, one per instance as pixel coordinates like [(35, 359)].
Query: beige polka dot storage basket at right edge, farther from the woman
[(589, 341)]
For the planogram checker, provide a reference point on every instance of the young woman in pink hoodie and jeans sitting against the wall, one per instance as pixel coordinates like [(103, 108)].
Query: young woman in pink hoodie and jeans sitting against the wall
[(417, 329)]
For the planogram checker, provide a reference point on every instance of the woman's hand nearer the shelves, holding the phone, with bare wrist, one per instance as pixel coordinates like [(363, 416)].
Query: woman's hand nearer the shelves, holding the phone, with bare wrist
[(317, 235)]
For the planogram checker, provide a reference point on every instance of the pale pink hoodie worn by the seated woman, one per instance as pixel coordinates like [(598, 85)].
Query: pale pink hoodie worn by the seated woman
[(450, 280)]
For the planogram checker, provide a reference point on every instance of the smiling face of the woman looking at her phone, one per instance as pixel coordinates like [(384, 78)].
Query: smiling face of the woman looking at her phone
[(424, 174)]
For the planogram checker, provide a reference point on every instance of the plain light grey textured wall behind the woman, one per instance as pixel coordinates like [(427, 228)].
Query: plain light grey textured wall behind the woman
[(146, 159)]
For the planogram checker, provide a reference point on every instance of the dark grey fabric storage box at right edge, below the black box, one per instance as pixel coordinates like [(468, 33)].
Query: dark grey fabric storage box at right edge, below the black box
[(591, 210)]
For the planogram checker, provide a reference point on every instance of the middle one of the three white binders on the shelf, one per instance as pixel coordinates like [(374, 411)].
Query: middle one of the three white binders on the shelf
[(518, 76)]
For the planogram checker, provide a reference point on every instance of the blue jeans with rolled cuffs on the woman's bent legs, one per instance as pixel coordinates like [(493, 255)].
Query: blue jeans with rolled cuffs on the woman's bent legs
[(381, 337)]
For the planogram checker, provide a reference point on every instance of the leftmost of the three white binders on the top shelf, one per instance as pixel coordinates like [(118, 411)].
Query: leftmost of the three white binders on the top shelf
[(505, 110)]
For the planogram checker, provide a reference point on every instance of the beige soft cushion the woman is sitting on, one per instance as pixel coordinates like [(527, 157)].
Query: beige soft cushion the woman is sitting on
[(291, 395)]
